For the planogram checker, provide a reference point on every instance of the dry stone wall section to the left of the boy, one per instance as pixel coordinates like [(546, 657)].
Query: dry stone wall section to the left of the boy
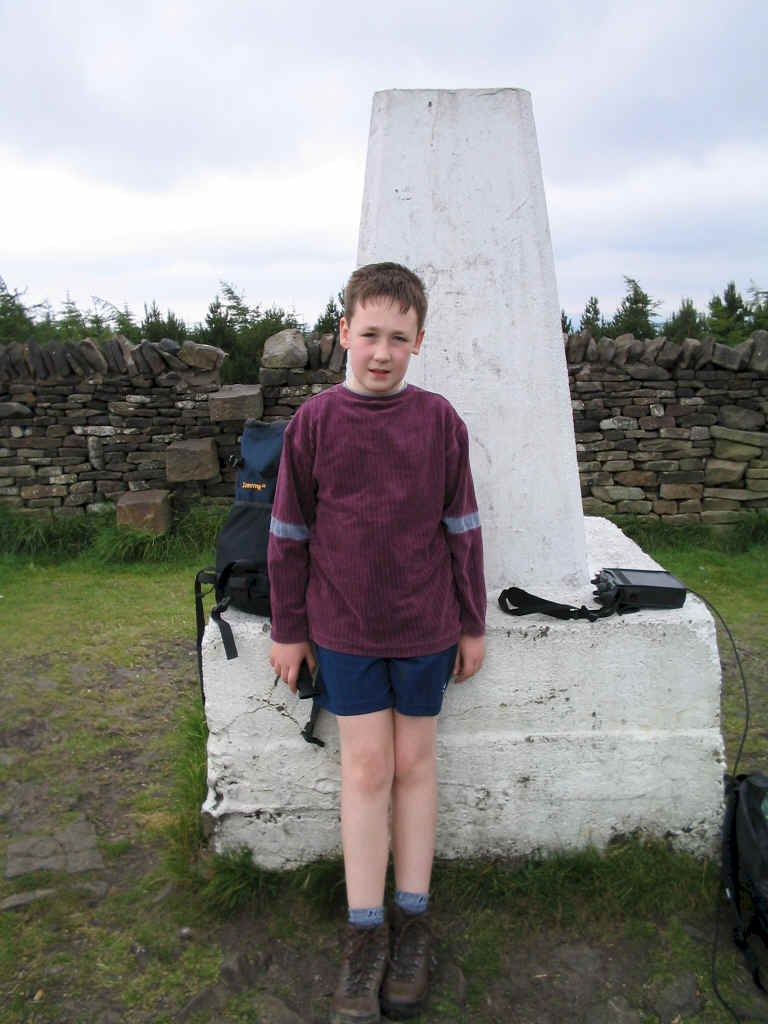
[(83, 425)]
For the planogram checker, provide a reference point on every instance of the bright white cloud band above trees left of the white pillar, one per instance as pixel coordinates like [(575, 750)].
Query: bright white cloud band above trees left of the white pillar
[(287, 239)]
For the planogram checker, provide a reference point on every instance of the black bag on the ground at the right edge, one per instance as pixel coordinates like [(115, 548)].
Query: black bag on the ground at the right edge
[(746, 861)]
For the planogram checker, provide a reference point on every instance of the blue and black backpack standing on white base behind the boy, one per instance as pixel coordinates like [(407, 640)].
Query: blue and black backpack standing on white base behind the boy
[(240, 578)]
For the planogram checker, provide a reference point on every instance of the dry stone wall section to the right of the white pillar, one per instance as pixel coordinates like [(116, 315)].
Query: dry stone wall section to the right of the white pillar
[(671, 432)]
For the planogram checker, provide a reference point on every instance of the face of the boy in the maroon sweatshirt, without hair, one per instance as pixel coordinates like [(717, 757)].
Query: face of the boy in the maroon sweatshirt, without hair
[(380, 342)]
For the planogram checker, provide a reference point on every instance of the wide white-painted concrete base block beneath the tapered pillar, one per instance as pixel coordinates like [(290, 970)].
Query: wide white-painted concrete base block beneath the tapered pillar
[(573, 734)]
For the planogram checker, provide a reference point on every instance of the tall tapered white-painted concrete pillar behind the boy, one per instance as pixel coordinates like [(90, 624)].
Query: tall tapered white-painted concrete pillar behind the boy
[(454, 190)]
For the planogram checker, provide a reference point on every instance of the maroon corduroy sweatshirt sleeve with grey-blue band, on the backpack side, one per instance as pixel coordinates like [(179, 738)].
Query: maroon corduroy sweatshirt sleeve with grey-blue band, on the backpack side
[(288, 548)]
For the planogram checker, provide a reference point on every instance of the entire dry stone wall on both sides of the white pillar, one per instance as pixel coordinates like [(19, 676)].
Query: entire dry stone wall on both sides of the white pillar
[(664, 431)]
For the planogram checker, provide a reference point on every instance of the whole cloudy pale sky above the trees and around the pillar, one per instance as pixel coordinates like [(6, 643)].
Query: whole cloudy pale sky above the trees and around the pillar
[(150, 151)]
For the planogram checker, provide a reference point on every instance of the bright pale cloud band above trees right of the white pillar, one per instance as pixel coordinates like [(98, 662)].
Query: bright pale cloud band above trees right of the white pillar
[(676, 225)]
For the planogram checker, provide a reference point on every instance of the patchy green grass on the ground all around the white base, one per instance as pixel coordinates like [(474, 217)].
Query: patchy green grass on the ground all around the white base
[(83, 665)]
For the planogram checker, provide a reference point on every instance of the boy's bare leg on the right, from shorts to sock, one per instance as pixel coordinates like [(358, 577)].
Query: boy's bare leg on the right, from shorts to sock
[(414, 801)]
